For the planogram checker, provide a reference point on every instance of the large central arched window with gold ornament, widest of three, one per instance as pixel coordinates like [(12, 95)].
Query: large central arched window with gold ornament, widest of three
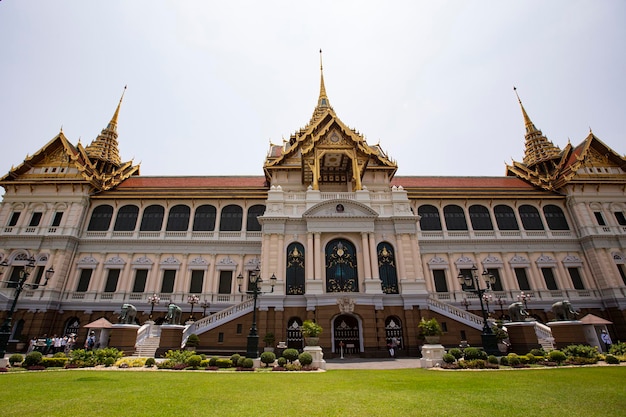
[(341, 267)]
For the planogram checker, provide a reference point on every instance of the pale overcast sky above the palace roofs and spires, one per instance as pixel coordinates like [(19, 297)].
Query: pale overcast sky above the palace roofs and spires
[(211, 83)]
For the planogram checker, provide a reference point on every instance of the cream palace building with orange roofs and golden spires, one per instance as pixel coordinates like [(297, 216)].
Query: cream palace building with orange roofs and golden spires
[(363, 252)]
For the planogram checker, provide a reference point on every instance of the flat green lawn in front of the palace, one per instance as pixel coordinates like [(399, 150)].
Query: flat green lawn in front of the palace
[(588, 391)]
